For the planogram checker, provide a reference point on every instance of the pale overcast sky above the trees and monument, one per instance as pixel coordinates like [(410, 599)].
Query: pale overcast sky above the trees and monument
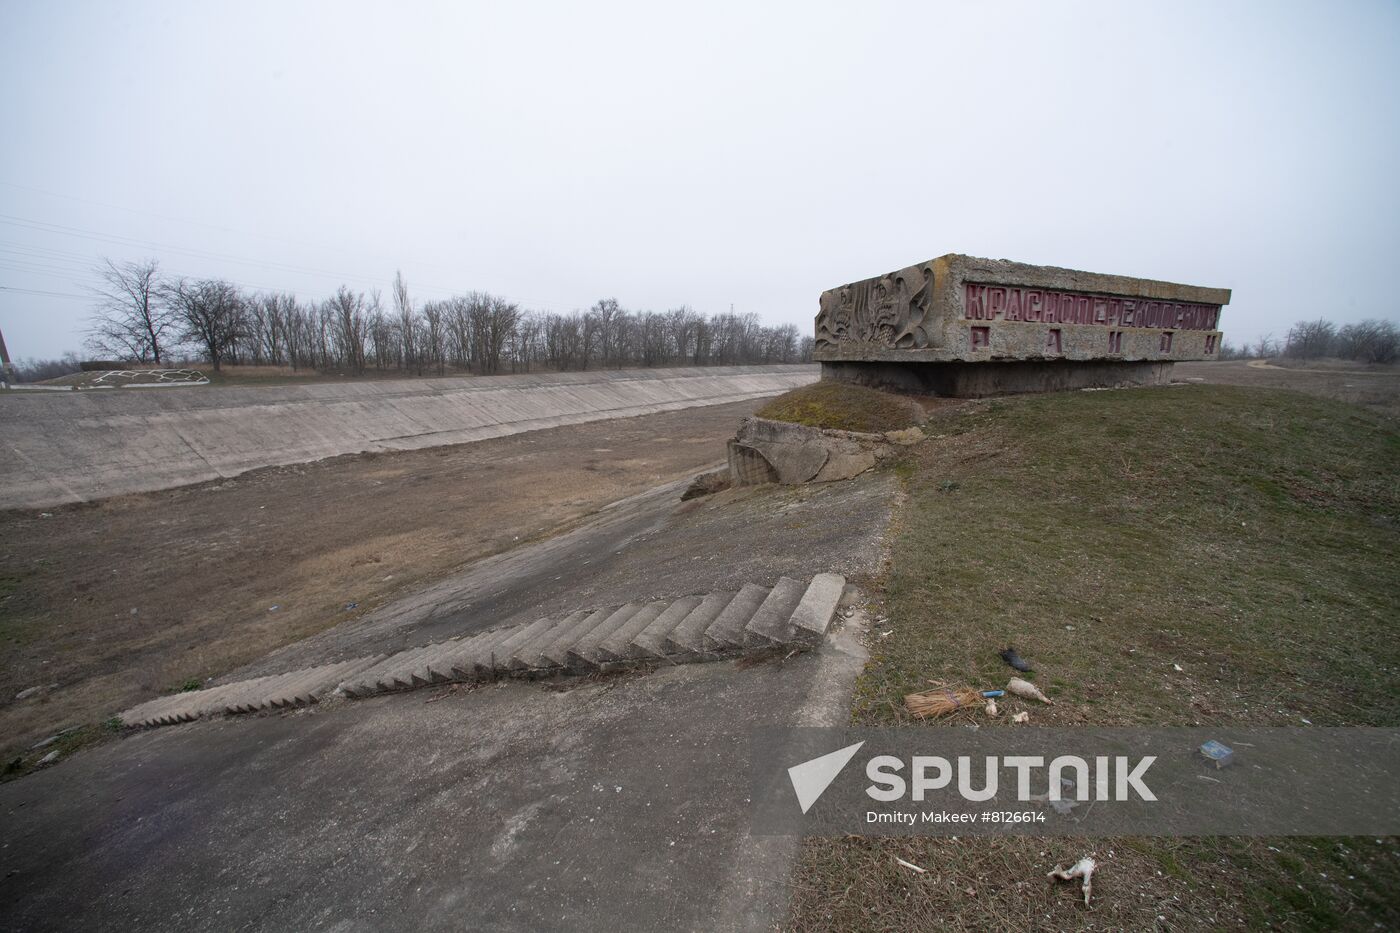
[(706, 155)]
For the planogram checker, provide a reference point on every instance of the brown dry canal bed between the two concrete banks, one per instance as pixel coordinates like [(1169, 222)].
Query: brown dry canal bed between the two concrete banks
[(134, 595)]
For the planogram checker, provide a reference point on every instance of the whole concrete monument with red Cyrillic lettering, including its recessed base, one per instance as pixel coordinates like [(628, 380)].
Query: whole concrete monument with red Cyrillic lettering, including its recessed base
[(960, 326)]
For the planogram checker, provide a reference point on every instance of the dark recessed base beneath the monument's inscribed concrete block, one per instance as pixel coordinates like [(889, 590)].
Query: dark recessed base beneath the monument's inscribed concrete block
[(979, 380)]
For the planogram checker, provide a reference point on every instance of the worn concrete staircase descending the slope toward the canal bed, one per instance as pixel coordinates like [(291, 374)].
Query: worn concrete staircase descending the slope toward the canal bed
[(691, 628)]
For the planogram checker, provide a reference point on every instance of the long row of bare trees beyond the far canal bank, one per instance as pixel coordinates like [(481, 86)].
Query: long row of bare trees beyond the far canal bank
[(145, 317)]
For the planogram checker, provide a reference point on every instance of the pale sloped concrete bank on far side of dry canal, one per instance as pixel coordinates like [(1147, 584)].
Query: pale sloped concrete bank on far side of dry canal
[(64, 448)]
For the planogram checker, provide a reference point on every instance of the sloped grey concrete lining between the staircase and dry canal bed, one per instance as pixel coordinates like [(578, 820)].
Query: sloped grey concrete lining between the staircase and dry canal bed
[(642, 548)]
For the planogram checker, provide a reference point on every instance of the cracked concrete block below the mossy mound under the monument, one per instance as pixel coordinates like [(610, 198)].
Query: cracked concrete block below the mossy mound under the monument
[(801, 455)]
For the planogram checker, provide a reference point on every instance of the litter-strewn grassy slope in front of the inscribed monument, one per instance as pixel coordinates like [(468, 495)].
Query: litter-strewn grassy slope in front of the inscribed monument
[(1248, 537)]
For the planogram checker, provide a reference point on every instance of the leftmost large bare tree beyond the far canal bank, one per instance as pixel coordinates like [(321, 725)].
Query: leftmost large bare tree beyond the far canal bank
[(131, 323)]
